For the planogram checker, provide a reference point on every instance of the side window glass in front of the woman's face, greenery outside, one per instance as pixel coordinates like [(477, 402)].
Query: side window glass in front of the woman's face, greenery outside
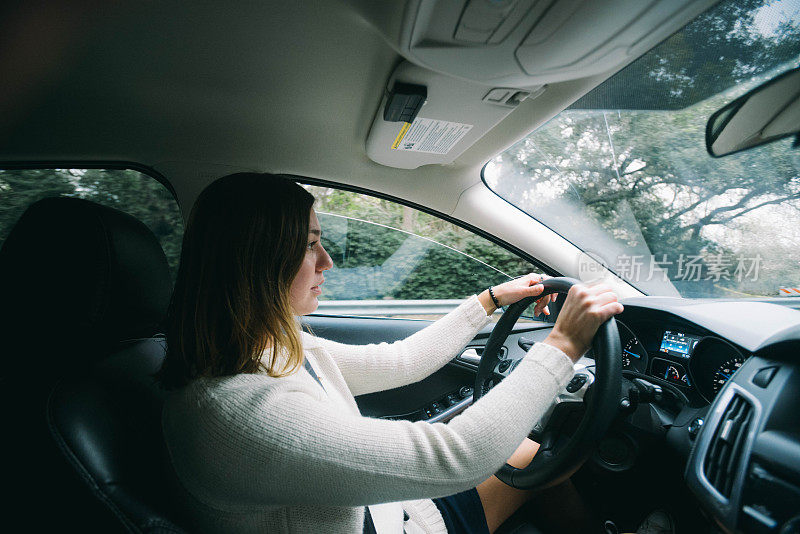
[(391, 260)]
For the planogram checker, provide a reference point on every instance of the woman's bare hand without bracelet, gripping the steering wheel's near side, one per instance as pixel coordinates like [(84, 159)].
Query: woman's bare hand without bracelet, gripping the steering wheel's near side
[(584, 310)]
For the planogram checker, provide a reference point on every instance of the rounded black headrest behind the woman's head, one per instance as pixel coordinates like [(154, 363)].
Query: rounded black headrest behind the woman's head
[(76, 276)]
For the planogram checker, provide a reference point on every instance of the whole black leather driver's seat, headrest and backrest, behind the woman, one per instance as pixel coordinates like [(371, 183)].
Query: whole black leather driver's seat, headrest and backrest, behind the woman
[(84, 287)]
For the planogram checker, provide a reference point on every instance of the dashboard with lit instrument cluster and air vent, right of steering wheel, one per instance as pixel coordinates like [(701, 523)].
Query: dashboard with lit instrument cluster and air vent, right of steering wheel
[(732, 371)]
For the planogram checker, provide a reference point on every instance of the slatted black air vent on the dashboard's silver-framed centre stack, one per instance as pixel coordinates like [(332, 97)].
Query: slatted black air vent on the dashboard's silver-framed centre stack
[(725, 450)]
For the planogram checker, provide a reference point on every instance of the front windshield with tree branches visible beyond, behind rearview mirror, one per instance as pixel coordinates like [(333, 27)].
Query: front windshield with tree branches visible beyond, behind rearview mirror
[(624, 173)]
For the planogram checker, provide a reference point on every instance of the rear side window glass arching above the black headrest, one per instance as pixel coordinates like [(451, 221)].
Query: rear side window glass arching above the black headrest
[(130, 191)]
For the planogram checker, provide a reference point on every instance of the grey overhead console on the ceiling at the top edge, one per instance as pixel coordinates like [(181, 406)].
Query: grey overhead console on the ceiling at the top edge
[(522, 43)]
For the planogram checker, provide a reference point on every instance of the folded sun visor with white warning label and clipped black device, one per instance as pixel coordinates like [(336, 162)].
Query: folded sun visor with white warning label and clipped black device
[(427, 118)]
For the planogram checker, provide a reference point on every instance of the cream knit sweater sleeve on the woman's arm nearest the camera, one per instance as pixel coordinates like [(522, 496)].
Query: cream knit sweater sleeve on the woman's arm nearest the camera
[(254, 443)]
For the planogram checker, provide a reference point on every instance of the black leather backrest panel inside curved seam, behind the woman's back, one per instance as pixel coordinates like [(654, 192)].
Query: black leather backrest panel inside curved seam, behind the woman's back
[(107, 423)]
